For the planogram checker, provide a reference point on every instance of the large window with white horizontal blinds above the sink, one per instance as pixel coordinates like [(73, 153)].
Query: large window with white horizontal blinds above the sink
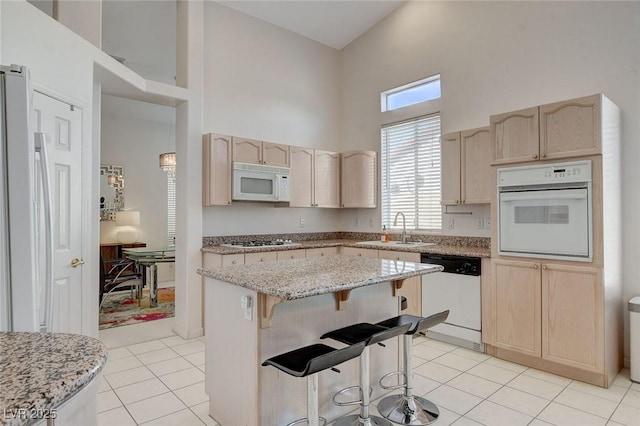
[(411, 173)]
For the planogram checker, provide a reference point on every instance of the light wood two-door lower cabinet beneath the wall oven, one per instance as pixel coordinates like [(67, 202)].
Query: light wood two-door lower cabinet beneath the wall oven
[(553, 312)]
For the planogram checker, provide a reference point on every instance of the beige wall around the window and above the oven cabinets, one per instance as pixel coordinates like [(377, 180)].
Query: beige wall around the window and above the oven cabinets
[(496, 57)]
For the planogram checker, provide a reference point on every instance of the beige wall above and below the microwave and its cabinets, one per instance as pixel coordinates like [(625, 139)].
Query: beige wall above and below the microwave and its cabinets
[(266, 83)]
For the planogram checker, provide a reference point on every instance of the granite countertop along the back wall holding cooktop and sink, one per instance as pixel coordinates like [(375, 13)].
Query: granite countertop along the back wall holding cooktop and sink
[(448, 249)]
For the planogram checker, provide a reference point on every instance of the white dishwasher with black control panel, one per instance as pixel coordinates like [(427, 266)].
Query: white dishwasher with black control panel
[(457, 289)]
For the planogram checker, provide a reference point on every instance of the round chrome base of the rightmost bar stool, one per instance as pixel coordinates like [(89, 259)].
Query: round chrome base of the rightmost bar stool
[(413, 410)]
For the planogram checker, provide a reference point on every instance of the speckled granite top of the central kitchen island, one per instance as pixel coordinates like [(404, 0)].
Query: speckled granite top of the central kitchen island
[(299, 278)]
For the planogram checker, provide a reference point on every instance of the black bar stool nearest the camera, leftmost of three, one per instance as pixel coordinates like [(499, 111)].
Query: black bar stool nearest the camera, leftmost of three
[(308, 362)]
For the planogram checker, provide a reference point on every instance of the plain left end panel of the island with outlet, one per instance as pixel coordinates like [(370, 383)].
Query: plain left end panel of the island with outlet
[(231, 356)]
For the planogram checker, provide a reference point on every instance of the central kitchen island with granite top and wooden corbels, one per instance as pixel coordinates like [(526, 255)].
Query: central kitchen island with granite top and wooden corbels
[(256, 311)]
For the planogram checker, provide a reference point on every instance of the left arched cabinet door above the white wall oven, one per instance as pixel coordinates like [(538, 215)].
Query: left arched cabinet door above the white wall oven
[(514, 136)]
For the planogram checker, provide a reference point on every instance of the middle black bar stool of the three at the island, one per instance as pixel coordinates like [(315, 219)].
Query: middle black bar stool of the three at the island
[(369, 334)]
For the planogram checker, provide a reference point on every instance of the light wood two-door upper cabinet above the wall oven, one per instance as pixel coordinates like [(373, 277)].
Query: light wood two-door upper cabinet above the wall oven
[(560, 130)]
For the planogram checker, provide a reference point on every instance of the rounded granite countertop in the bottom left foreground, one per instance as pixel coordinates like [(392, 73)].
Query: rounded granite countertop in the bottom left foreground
[(39, 371)]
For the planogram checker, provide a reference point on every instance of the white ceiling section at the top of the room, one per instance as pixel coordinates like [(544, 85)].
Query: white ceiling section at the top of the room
[(330, 22)]
